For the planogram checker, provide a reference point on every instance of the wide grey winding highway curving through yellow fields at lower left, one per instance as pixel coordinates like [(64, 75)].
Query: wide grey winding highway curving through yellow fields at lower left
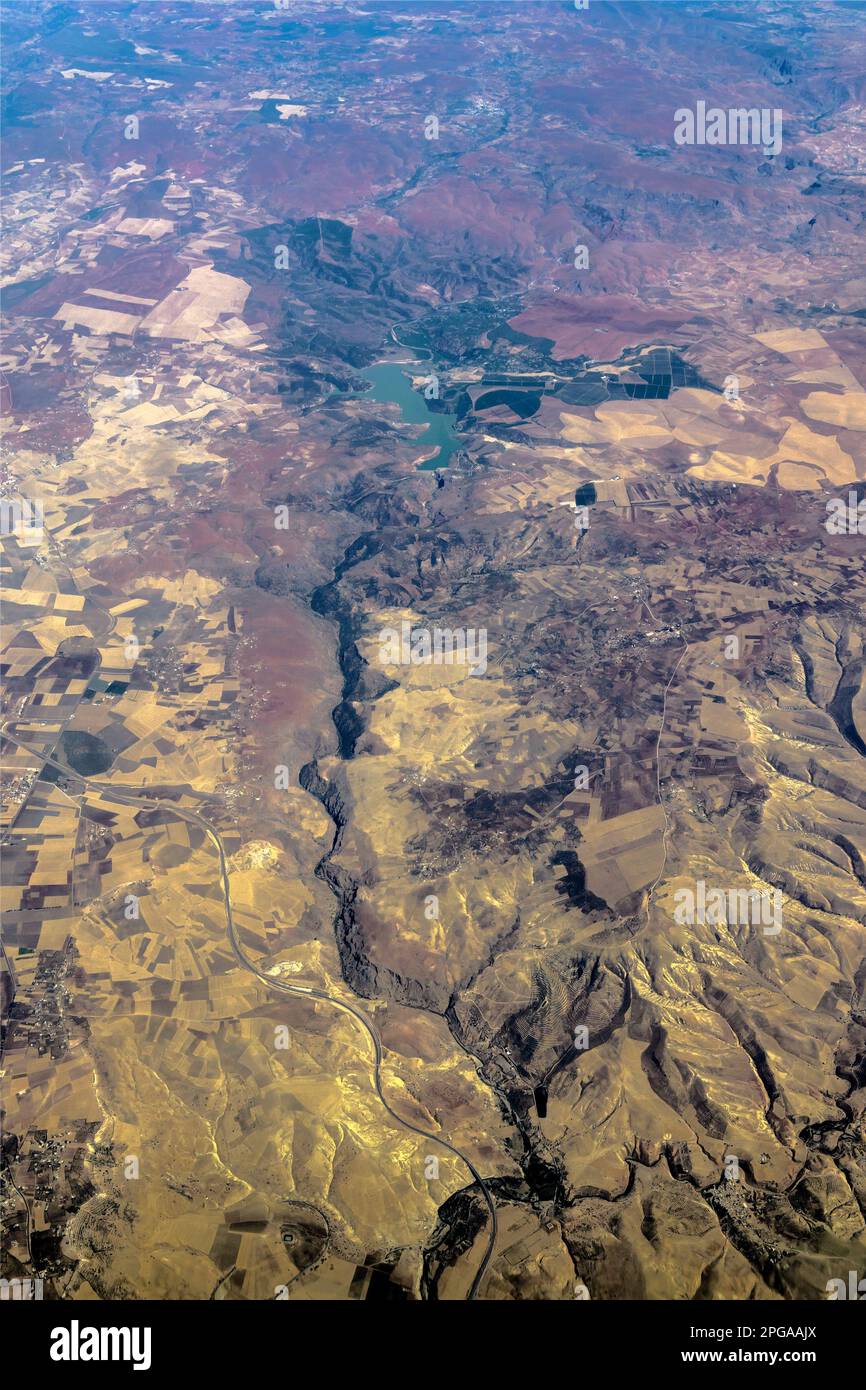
[(130, 799)]
